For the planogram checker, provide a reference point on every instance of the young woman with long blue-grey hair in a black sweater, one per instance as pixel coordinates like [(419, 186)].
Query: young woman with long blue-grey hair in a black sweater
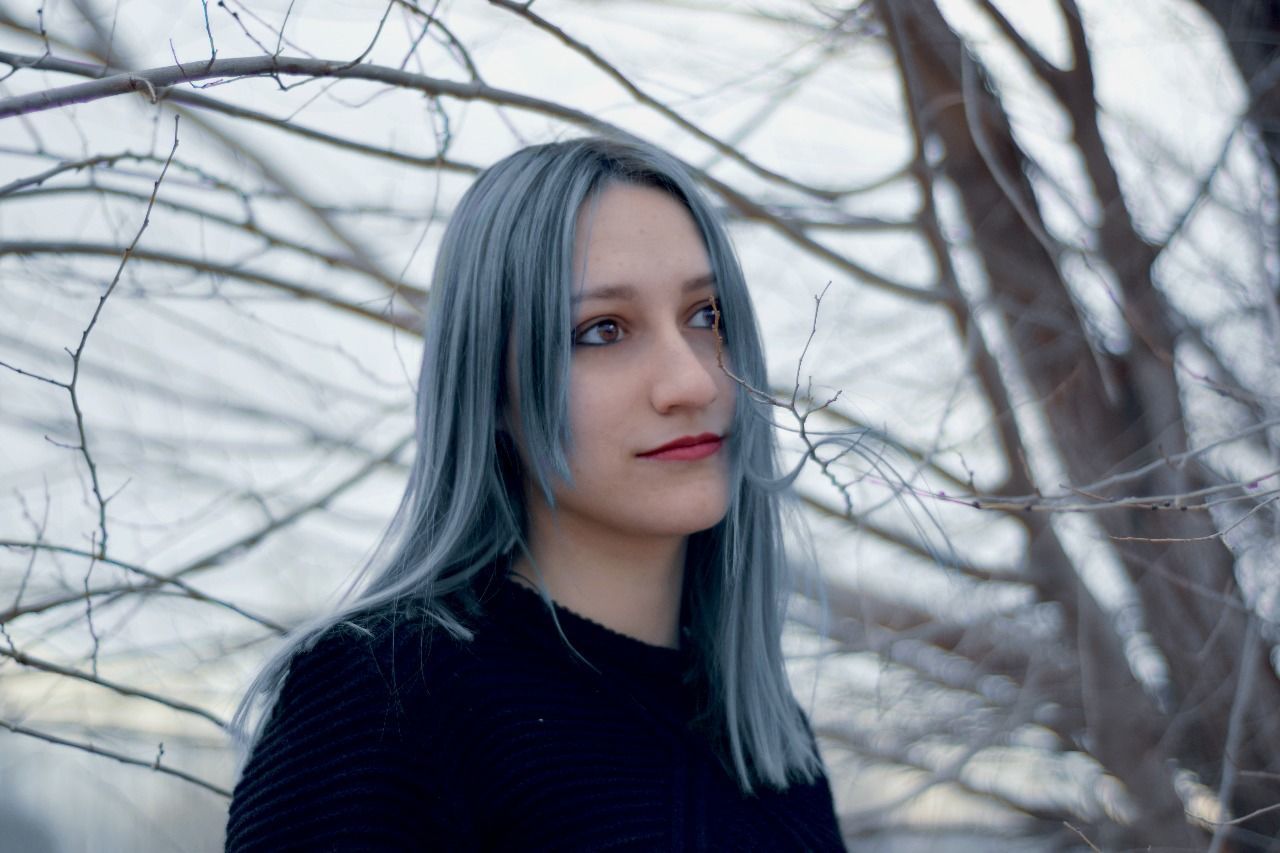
[(570, 636)]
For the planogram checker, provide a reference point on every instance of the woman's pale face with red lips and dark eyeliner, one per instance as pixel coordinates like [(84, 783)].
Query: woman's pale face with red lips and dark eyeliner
[(644, 372)]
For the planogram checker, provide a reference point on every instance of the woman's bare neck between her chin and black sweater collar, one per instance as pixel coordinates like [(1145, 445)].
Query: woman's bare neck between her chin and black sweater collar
[(632, 586)]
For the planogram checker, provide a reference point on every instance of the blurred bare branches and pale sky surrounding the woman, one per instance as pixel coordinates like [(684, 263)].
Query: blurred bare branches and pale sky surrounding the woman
[(1030, 249)]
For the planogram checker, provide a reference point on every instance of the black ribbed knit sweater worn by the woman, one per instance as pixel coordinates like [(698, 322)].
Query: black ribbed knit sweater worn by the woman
[(409, 740)]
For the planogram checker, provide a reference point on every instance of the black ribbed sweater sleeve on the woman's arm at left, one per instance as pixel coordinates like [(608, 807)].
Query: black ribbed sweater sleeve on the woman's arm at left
[(333, 769)]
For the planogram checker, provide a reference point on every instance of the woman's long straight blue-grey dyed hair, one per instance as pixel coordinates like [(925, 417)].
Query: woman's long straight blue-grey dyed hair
[(505, 276)]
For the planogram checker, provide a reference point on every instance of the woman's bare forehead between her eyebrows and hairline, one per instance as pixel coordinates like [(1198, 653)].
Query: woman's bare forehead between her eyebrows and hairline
[(634, 236)]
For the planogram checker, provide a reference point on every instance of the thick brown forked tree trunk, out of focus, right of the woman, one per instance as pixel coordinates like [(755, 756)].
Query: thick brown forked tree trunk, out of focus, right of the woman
[(1108, 412)]
